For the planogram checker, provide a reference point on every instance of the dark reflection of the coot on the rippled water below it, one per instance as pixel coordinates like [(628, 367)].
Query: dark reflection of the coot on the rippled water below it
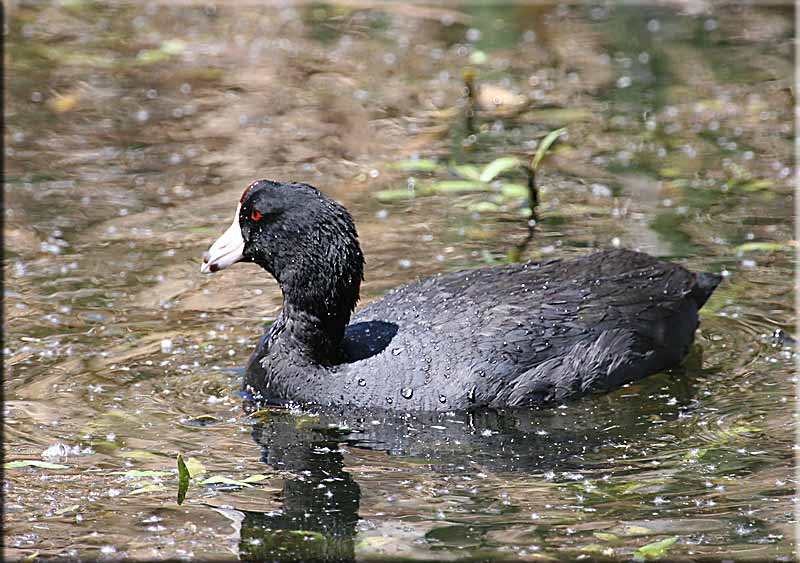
[(319, 518)]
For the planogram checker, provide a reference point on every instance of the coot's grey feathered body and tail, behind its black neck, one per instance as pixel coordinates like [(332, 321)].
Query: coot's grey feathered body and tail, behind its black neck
[(523, 334)]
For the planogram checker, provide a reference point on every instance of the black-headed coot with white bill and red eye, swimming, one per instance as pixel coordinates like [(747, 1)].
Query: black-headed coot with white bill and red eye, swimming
[(516, 335)]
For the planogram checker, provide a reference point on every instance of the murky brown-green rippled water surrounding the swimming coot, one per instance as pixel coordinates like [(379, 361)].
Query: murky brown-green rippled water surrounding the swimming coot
[(131, 131)]
